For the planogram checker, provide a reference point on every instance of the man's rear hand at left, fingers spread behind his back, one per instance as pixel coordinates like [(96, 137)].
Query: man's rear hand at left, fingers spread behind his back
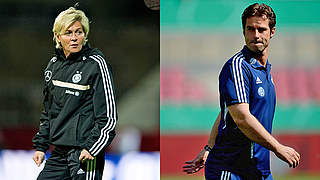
[(197, 163)]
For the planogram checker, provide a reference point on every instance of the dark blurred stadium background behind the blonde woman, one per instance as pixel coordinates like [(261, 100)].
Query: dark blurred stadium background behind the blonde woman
[(127, 32)]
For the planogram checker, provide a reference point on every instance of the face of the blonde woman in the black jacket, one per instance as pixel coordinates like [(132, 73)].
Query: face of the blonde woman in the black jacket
[(72, 39)]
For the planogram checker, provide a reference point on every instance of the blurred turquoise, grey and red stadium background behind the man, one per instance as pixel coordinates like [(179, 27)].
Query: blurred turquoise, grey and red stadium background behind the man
[(197, 37)]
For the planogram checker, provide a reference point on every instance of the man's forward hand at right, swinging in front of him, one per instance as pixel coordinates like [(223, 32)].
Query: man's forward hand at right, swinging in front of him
[(288, 154)]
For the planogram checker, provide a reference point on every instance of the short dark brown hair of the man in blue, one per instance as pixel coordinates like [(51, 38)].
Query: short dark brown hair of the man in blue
[(259, 10)]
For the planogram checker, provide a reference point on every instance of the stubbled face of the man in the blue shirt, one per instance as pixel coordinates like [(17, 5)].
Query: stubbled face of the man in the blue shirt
[(257, 33)]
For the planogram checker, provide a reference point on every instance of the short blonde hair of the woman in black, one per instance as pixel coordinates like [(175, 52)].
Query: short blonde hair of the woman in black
[(67, 18)]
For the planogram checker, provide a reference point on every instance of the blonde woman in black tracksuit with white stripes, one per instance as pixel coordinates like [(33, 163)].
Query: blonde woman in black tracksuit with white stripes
[(79, 114)]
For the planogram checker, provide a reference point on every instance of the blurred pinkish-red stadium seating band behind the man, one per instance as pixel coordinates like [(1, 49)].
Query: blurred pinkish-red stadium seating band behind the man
[(293, 85)]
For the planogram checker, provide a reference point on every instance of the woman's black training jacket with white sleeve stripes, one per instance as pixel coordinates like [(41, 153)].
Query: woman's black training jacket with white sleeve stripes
[(79, 102)]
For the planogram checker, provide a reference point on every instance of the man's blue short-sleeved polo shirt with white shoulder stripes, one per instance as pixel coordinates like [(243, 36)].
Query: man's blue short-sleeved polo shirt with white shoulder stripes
[(243, 80)]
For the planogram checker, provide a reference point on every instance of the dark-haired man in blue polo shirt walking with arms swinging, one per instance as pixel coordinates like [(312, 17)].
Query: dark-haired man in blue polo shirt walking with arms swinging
[(240, 139)]
